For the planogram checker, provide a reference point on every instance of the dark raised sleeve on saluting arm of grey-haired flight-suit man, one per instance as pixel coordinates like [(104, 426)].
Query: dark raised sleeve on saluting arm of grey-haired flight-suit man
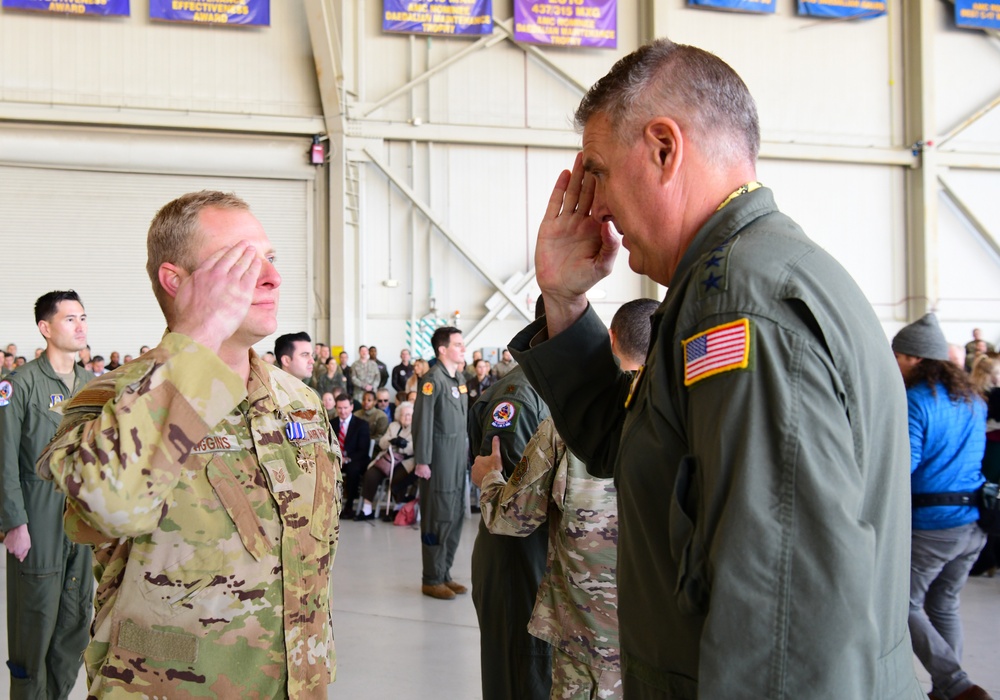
[(576, 374)]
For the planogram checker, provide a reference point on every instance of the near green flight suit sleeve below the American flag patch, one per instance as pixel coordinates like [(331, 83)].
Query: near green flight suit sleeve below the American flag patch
[(772, 472)]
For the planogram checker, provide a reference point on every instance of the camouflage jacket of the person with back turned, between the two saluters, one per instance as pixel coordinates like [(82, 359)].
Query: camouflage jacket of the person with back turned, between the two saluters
[(576, 609)]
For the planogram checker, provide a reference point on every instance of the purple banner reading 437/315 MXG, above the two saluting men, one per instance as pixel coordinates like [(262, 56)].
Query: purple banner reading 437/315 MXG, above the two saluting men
[(592, 23)]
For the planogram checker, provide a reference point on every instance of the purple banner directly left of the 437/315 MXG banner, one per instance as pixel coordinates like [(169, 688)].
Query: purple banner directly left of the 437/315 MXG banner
[(440, 18)]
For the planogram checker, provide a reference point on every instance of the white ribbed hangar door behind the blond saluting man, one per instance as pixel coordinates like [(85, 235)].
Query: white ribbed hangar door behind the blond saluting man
[(83, 230)]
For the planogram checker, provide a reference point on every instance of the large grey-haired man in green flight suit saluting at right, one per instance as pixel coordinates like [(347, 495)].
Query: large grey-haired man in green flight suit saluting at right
[(760, 453)]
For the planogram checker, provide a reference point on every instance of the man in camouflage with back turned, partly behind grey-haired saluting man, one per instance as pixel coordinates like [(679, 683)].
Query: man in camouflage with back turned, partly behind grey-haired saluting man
[(577, 604)]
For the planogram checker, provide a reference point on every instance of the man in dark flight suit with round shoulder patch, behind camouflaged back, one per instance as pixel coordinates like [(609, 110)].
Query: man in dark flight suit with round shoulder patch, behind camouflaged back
[(506, 571)]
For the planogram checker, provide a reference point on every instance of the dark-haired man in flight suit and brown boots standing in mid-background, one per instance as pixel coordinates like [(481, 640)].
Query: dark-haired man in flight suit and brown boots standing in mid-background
[(441, 456)]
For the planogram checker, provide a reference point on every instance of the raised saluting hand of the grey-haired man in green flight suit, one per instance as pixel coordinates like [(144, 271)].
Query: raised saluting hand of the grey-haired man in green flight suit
[(574, 251)]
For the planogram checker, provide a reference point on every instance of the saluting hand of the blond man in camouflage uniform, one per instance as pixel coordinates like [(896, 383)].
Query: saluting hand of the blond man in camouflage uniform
[(213, 301)]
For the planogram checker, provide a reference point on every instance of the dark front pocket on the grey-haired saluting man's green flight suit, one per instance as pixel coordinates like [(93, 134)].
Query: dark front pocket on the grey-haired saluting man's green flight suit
[(691, 587)]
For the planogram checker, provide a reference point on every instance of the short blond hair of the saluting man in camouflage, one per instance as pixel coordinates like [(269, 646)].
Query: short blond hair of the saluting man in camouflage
[(172, 233)]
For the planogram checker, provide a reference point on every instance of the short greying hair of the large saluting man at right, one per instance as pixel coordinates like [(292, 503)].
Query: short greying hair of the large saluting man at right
[(695, 88)]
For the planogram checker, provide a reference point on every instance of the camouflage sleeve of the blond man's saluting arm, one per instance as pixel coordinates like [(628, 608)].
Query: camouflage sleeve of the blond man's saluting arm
[(119, 450)]
